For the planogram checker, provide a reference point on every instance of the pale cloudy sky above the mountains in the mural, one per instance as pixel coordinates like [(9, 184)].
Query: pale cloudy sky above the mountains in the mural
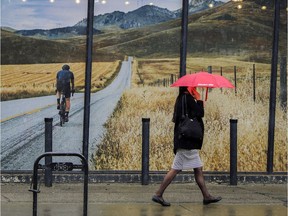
[(47, 14)]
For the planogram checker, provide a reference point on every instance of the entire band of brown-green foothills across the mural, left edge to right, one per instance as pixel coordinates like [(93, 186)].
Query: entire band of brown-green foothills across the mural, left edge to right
[(219, 31)]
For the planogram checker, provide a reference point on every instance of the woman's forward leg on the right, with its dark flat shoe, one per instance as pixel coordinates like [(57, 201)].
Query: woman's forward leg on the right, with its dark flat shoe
[(199, 177)]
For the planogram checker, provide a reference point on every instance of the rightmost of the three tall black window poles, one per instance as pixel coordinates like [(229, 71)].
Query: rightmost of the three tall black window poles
[(273, 84)]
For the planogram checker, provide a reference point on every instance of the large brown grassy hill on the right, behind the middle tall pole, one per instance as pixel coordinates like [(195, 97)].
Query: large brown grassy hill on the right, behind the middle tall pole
[(225, 30)]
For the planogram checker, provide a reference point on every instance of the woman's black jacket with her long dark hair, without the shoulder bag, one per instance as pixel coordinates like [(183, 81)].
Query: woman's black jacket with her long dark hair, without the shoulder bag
[(194, 109)]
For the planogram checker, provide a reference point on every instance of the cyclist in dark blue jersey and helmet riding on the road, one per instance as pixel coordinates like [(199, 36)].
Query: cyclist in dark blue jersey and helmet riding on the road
[(65, 84)]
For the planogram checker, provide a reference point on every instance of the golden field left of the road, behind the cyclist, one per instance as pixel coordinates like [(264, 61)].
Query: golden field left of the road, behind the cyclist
[(20, 81)]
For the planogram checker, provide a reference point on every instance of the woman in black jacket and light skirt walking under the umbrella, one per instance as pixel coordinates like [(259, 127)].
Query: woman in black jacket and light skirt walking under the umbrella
[(186, 150)]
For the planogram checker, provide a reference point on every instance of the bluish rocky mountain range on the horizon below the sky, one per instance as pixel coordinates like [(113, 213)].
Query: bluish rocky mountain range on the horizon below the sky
[(141, 17)]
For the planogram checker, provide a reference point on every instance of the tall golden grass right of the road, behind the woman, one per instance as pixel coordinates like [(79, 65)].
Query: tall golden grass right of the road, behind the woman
[(121, 147)]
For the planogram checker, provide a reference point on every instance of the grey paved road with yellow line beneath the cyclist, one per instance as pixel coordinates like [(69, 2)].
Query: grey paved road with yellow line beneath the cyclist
[(22, 124)]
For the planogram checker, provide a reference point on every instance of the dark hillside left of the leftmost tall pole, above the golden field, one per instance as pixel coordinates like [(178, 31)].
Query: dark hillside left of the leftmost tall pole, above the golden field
[(25, 50)]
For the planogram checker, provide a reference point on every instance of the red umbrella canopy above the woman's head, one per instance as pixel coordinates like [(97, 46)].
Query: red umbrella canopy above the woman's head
[(203, 79)]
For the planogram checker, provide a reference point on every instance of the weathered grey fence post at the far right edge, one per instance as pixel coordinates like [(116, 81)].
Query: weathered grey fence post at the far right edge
[(283, 83)]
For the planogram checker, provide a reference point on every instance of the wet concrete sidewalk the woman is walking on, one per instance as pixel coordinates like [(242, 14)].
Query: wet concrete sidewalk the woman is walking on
[(135, 199)]
